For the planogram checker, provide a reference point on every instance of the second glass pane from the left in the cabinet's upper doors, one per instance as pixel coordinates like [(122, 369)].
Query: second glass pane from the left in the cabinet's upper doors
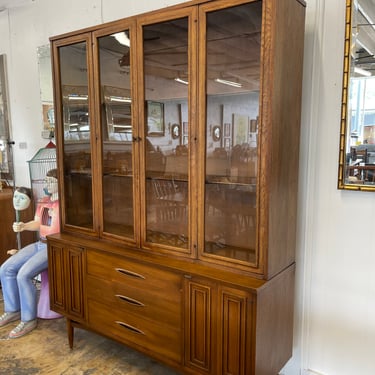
[(114, 59)]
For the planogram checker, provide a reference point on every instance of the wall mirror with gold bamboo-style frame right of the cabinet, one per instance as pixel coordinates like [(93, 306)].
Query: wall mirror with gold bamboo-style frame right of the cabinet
[(357, 132)]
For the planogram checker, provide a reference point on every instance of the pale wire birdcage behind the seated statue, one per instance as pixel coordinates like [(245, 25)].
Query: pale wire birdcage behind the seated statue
[(42, 162)]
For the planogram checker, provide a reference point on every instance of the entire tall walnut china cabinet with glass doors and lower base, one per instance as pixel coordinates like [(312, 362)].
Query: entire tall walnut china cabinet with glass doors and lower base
[(178, 143)]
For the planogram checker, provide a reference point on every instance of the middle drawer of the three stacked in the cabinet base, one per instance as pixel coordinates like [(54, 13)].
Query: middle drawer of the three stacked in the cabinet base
[(150, 301)]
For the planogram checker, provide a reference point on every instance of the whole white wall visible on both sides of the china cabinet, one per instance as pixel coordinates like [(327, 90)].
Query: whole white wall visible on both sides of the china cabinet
[(335, 291)]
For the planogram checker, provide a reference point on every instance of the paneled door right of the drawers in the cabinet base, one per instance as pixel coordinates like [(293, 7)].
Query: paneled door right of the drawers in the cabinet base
[(218, 328)]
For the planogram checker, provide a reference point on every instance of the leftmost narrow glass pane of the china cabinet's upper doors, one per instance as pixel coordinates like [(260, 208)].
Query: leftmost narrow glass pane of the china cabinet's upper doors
[(77, 149)]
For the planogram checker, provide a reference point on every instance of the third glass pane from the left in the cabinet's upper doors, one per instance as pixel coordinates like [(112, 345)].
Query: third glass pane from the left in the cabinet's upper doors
[(166, 76)]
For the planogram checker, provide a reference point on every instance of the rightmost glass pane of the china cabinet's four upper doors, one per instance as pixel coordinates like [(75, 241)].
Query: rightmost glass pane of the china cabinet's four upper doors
[(233, 72)]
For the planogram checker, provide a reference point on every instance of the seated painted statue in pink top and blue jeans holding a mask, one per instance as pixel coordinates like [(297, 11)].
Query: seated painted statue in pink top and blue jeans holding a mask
[(17, 272)]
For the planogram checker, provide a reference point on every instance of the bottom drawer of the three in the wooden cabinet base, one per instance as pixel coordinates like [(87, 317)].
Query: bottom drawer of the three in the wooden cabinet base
[(129, 327)]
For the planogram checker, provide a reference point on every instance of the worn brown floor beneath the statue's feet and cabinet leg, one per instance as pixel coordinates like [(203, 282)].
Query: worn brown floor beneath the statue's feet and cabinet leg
[(46, 351)]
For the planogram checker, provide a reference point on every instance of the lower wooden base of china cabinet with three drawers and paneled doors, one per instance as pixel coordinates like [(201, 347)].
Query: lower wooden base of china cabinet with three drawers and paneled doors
[(192, 317)]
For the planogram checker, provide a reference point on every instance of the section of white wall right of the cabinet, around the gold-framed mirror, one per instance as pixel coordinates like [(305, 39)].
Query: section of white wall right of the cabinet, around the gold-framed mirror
[(335, 294)]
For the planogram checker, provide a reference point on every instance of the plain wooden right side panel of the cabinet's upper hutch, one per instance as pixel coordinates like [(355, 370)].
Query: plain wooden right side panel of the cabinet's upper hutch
[(286, 64)]
